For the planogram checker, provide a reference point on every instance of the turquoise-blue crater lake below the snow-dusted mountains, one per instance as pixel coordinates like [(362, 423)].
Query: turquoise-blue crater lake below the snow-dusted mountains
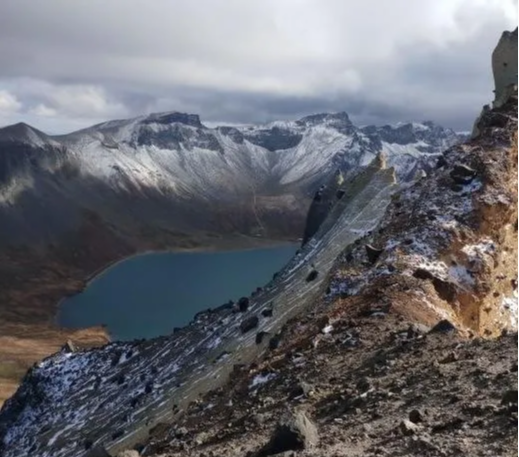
[(149, 295)]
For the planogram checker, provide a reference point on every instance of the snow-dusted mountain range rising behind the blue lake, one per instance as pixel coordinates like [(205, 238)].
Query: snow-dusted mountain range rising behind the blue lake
[(172, 171)]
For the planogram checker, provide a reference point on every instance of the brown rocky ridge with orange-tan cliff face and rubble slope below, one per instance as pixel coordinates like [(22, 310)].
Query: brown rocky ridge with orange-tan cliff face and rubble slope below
[(372, 370)]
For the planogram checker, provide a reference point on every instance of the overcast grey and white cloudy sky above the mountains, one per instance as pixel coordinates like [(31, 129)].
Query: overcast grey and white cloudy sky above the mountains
[(66, 64)]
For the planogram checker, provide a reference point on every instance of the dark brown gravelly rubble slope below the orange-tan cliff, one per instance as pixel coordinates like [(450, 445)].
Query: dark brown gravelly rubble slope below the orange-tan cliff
[(373, 386)]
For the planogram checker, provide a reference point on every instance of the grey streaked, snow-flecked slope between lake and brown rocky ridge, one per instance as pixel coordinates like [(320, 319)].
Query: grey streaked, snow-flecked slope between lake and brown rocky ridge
[(185, 364)]
